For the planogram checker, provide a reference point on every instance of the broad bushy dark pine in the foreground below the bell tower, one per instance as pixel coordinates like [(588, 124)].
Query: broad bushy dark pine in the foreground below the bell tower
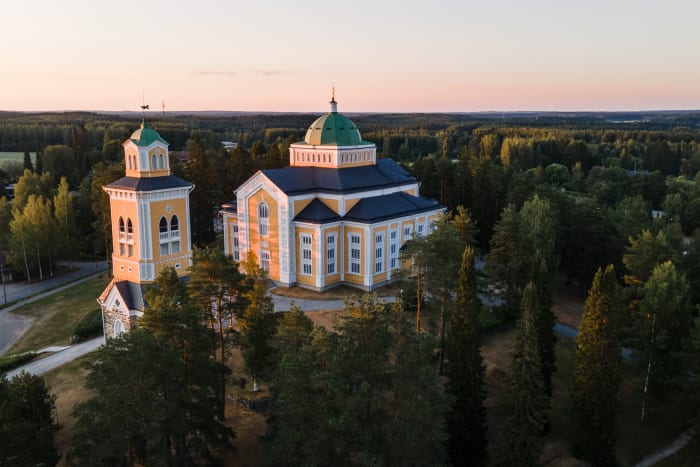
[(156, 393)]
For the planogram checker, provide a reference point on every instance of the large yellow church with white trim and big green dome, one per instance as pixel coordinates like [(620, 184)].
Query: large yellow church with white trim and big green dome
[(336, 215)]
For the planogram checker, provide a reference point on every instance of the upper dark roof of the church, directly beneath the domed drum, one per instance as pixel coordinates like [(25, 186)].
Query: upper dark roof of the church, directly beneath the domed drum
[(298, 180)]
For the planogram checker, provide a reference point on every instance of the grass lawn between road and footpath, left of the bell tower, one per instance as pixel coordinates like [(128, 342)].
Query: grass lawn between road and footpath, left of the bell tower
[(57, 315)]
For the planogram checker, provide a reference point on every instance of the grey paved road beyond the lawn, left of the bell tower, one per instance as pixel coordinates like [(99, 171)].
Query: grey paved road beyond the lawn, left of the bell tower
[(12, 326)]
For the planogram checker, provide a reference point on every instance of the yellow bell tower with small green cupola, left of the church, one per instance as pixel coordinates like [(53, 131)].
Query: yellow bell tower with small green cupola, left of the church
[(150, 215)]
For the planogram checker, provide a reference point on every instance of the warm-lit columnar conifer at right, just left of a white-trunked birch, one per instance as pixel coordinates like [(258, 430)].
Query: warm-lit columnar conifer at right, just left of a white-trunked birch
[(597, 373)]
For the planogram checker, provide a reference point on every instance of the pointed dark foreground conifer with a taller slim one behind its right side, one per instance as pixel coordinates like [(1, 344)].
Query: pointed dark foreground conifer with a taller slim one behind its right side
[(526, 401)]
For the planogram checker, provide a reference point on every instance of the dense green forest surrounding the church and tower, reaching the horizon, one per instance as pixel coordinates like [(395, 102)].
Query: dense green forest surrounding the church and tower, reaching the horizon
[(606, 204)]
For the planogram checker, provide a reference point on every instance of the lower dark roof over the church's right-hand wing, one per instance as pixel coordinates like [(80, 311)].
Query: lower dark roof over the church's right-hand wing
[(379, 208)]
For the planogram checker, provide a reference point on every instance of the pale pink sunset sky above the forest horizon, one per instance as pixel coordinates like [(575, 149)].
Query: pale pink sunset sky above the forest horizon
[(388, 56)]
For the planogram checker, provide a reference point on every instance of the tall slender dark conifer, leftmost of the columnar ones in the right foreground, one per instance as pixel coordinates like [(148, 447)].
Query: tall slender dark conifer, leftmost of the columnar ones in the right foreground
[(466, 421)]
